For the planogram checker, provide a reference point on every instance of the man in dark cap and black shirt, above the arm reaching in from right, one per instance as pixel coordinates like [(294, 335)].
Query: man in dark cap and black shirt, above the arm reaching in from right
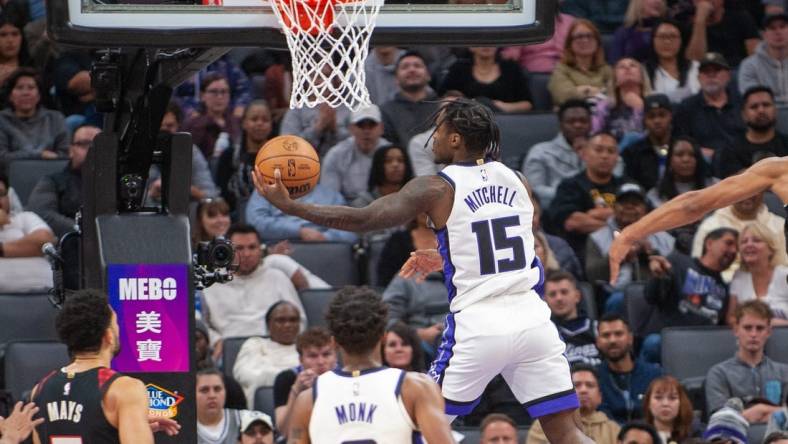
[(711, 116)]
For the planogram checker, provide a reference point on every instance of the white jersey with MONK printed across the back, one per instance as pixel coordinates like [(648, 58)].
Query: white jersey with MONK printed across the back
[(361, 408)]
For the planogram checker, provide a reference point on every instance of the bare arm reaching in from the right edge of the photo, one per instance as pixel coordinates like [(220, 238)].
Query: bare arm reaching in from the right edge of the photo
[(691, 206)]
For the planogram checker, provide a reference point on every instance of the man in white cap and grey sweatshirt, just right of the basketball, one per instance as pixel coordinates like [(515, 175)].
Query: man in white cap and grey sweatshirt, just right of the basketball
[(346, 167)]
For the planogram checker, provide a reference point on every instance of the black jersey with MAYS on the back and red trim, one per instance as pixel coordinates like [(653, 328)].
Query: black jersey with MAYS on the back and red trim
[(70, 404)]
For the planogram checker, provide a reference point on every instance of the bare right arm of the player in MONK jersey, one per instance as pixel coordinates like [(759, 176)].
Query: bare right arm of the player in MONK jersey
[(424, 402)]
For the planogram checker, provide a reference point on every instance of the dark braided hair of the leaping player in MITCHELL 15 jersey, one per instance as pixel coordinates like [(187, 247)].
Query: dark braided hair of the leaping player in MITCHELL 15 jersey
[(474, 122)]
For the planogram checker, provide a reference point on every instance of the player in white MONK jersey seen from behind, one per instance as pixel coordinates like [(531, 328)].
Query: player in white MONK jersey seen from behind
[(364, 402)]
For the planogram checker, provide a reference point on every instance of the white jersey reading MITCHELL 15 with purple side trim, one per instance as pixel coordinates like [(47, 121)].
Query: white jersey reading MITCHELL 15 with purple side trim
[(487, 244)]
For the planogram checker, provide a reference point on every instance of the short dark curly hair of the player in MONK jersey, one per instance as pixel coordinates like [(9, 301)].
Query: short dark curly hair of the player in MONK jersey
[(356, 318)]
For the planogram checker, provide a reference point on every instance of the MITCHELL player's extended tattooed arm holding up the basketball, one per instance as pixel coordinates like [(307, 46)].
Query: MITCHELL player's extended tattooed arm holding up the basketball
[(416, 197)]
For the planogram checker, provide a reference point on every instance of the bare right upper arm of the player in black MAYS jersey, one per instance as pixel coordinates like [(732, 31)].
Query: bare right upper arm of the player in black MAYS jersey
[(132, 406)]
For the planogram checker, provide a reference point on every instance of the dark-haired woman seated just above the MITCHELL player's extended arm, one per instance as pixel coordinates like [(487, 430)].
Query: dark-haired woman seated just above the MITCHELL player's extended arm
[(390, 170)]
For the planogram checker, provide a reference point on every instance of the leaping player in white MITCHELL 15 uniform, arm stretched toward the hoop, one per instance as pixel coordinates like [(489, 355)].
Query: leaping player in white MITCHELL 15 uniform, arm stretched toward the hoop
[(481, 212)]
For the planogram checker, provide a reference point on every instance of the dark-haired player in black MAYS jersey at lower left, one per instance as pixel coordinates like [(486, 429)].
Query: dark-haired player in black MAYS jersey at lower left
[(86, 402)]
